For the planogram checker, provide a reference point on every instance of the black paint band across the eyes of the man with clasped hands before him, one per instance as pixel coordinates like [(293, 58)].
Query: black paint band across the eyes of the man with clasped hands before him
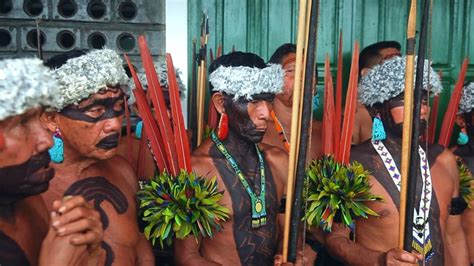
[(79, 114)]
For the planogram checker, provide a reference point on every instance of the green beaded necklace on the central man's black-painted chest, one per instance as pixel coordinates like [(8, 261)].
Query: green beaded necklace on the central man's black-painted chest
[(259, 213)]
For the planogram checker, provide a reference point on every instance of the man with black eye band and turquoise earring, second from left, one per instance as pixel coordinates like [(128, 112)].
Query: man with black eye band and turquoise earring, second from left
[(87, 131)]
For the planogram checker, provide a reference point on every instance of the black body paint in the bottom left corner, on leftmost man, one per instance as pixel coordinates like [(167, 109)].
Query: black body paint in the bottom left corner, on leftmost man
[(11, 253)]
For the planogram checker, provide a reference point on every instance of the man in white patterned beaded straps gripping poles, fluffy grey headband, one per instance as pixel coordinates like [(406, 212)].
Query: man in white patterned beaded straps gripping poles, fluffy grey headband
[(436, 233)]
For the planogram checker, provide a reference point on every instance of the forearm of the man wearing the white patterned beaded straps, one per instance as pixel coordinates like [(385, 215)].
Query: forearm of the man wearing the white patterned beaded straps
[(351, 253)]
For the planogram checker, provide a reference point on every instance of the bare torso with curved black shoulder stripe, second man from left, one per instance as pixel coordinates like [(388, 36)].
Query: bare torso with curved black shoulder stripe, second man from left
[(109, 186)]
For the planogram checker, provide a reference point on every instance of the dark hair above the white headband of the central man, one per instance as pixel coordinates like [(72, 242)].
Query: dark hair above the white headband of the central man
[(236, 59)]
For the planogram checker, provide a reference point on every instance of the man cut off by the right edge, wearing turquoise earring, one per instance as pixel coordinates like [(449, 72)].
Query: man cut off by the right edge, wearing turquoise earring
[(465, 150)]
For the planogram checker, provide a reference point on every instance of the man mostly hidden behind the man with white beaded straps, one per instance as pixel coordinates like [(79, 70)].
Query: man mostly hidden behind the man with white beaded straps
[(370, 56)]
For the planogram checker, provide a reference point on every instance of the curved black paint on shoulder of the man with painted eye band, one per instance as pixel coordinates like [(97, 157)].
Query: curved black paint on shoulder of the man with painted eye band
[(99, 189)]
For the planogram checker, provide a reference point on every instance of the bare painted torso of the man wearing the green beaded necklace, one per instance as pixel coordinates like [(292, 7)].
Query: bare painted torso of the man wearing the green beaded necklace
[(238, 243)]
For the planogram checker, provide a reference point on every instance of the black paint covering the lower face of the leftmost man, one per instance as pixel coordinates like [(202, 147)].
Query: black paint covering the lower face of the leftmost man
[(30, 178)]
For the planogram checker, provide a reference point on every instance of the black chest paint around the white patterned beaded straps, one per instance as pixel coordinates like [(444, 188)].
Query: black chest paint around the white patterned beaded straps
[(368, 157)]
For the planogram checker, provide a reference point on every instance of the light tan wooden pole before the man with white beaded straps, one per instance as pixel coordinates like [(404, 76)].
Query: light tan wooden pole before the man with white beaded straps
[(407, 119)]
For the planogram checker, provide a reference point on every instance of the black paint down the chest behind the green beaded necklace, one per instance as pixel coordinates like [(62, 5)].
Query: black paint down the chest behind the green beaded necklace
[(254, 246)]
